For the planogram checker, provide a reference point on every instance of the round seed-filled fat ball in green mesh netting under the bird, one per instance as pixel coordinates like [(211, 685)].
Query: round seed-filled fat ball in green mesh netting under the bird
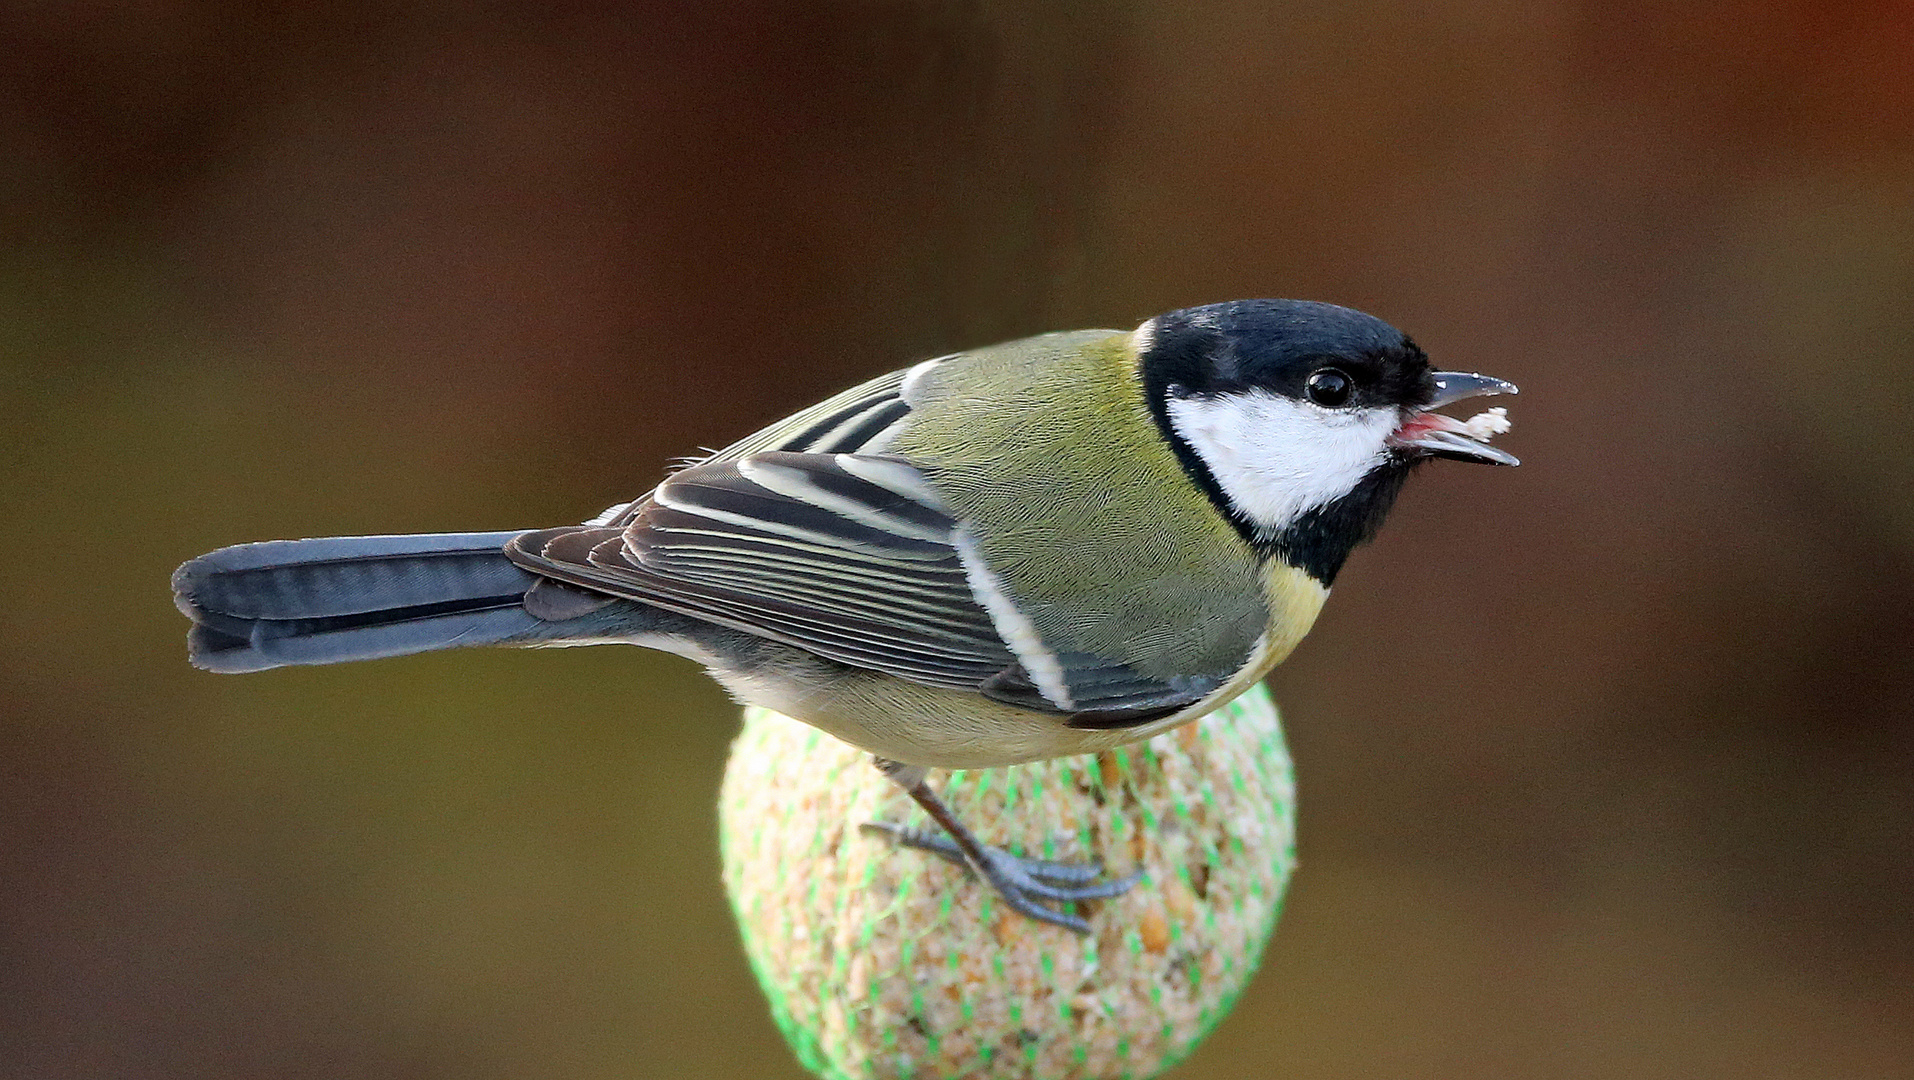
[(885, 962)]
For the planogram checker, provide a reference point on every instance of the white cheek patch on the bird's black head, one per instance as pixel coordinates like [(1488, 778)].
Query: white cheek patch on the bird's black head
[(1280, 459)]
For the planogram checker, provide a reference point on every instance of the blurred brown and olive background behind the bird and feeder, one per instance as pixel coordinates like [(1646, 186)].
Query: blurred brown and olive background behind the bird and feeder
[(1609, 763)]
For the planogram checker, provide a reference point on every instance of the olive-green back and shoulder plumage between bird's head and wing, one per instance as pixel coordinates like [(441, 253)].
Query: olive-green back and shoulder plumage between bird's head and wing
[(1050, 434)]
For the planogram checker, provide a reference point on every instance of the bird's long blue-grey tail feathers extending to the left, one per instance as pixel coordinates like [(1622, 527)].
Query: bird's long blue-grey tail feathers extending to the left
[(351, 598)]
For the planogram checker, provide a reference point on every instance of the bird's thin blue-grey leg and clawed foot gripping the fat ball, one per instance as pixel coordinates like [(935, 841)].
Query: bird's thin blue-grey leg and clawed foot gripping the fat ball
[(1021, 882)]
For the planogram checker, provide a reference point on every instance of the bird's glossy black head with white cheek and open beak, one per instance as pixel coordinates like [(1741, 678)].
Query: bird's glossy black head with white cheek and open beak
[(1302, 420)]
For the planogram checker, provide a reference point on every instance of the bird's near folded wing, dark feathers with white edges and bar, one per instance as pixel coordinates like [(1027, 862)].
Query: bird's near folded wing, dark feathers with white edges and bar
[(847, 556)]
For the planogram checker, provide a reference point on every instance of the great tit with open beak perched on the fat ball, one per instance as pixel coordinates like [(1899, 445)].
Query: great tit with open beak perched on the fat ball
[(1040, 549)]
